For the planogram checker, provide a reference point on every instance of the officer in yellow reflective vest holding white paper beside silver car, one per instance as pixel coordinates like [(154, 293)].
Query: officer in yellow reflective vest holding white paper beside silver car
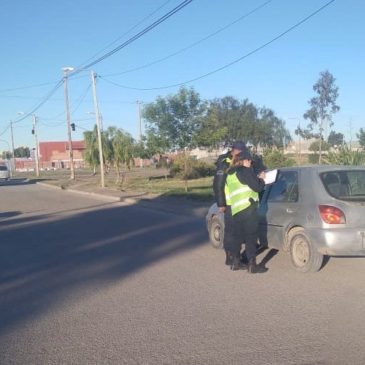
[(242, 190)]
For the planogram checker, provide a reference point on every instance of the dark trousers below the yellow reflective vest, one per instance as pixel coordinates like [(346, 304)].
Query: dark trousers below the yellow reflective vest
[(241, 228)]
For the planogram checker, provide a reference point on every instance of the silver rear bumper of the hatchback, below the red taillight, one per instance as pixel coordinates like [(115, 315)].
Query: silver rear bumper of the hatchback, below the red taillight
[(339, 242)]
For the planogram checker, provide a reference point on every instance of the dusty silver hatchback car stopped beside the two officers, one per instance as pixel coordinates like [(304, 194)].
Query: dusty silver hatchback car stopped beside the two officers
[(312, 212)]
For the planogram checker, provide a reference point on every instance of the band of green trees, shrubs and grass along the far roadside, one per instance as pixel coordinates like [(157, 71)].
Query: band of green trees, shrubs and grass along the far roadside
[(183, 121)]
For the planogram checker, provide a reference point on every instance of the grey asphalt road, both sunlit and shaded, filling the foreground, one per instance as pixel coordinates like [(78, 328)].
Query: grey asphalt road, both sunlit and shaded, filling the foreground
[(87, 281)]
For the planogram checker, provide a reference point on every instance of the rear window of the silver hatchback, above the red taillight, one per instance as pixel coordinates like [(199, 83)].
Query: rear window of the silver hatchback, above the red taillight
[(345, 184)]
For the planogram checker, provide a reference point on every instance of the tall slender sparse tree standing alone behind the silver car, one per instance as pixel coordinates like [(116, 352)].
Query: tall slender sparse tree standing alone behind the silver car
[(321, 109)]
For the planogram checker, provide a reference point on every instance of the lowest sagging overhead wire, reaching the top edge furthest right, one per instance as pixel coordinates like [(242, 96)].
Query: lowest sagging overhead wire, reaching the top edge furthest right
[(228, 64)]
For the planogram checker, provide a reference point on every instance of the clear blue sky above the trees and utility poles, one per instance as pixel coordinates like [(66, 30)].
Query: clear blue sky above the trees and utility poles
[(269, 52)]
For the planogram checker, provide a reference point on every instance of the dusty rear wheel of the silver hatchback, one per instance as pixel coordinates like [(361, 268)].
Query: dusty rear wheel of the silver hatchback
[(304, 256)]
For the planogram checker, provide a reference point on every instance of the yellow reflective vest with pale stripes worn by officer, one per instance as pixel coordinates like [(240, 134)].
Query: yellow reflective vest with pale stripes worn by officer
[(238, 195)]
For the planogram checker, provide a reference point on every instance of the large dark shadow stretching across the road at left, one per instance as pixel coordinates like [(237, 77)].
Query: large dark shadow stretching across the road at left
[(46, 258)]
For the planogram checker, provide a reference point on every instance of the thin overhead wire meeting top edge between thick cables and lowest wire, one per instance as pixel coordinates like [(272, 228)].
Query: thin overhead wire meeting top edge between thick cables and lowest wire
[(195, 43)]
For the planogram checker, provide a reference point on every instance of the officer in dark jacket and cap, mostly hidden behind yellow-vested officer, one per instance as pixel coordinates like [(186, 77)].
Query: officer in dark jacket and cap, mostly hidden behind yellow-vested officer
[(224, 162)]
